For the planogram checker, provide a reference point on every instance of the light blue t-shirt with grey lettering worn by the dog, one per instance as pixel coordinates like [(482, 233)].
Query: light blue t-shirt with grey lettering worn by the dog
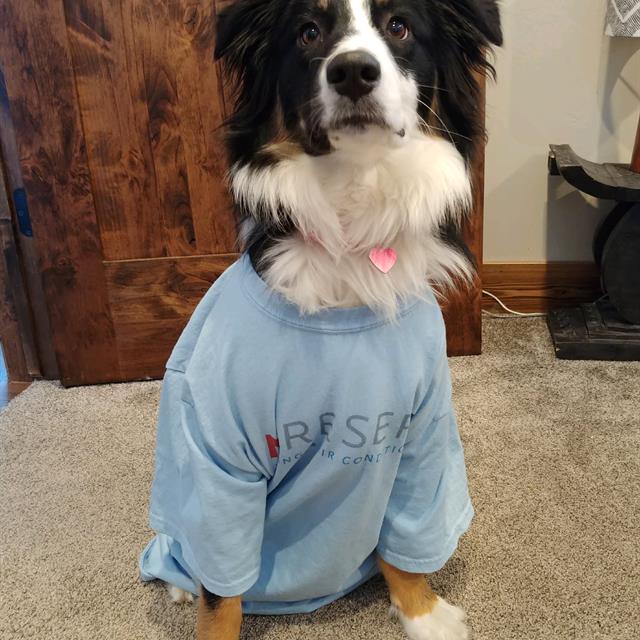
[(292, 448)]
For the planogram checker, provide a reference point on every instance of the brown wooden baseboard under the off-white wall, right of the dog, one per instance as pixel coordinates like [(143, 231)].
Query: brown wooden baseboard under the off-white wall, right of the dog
[(537, 287)]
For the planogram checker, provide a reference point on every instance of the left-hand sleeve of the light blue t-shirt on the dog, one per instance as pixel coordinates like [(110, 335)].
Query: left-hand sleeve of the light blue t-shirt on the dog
[(211, 494)]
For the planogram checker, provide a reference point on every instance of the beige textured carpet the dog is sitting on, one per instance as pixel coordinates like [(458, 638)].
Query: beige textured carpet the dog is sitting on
[(553, 452)]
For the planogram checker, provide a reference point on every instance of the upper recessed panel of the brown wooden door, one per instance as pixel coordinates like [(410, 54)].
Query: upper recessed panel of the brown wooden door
[(152, 109)]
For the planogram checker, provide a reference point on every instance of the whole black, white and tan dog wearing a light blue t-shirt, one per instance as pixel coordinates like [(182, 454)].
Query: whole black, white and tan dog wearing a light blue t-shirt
[(306, 439)]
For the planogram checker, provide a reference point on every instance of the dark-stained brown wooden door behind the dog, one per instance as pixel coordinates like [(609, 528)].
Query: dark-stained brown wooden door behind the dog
[(117, 107)]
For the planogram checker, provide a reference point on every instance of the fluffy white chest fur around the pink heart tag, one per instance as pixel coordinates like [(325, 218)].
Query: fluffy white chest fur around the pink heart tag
[(374, 190)]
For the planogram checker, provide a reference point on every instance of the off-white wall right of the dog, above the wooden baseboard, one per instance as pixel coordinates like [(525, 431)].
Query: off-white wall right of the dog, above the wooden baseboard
[(560, 80)]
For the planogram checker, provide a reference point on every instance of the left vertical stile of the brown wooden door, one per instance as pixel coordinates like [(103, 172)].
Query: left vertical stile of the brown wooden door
[(35, 58)]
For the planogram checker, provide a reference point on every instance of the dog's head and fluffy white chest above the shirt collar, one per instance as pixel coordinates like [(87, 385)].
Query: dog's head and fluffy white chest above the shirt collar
[(354, 125)]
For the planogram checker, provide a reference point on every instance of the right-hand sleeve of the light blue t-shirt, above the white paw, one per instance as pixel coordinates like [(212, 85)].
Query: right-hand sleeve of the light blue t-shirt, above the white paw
[(429, 507)]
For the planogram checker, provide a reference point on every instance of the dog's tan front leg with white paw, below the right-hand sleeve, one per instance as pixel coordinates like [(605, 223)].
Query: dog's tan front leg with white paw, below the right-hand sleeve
[(423, 614)]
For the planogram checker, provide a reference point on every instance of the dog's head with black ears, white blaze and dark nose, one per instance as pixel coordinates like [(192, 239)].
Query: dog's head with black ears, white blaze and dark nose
[(315, 71)]
